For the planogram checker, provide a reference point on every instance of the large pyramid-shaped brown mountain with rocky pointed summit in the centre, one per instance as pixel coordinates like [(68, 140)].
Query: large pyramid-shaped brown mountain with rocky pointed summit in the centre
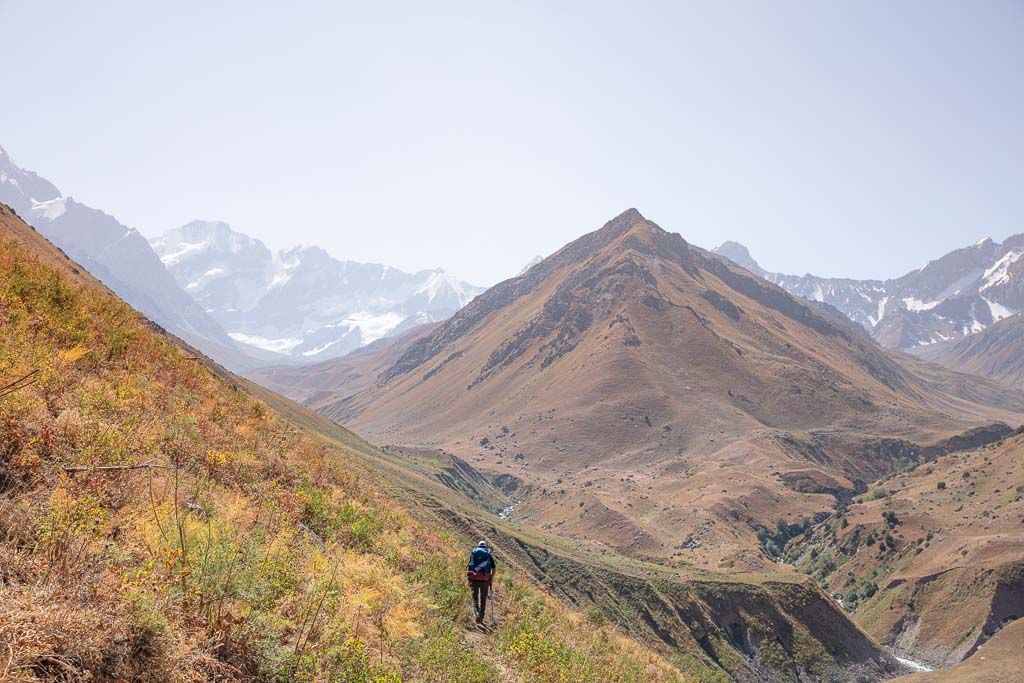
[(644, 395)]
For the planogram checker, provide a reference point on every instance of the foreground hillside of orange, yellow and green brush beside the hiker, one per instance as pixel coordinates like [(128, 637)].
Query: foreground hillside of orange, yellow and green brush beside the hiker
[(159, 524)]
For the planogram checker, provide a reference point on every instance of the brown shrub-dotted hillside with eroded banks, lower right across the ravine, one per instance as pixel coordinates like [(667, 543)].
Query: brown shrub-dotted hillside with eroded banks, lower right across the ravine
[(932, 561)]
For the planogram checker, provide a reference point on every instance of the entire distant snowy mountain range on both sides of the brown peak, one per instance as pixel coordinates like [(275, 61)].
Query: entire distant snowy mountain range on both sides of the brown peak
[(227, 293)]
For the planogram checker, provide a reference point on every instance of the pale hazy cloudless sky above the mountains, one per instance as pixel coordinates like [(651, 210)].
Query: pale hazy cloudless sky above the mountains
[(845, 139)]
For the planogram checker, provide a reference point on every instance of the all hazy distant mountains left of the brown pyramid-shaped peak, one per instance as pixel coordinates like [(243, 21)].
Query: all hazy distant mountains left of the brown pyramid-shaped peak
[(226, 293)]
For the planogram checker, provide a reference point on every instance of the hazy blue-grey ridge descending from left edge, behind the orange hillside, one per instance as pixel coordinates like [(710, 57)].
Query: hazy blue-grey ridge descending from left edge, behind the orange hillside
[(114, 253)]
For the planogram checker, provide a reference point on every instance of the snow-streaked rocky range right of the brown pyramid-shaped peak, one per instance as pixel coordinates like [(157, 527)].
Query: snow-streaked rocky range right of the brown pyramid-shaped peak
[(958, 295)]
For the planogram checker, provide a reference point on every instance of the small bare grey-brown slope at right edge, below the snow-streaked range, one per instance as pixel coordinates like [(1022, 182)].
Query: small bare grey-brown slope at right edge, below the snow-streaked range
[(997, 353)]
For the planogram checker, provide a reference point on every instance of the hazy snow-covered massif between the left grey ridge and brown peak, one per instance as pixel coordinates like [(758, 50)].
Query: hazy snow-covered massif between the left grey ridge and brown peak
[(302, 303)]
